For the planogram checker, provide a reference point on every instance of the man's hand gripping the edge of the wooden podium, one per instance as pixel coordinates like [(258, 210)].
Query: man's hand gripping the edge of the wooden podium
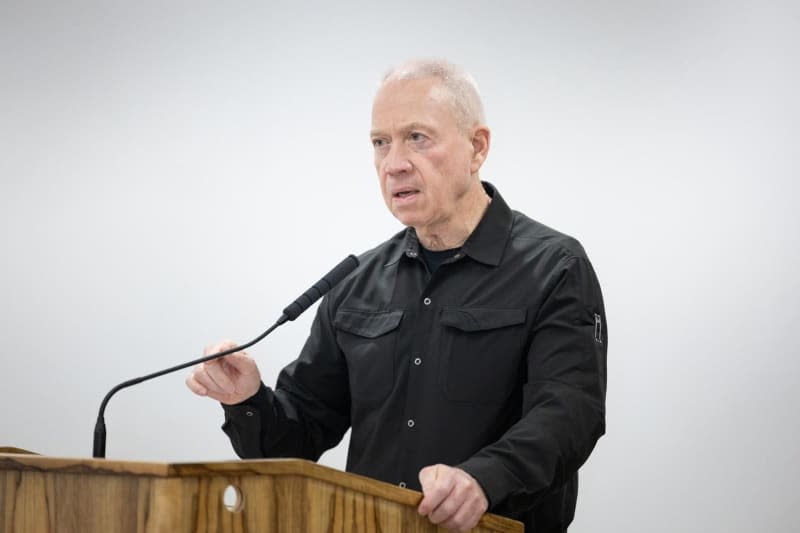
[(451, 497)]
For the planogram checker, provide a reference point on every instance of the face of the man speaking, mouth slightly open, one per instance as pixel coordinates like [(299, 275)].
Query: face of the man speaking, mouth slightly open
[(424, 161)]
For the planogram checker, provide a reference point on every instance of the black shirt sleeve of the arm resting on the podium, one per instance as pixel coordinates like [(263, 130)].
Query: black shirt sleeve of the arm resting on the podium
[(563, 397)]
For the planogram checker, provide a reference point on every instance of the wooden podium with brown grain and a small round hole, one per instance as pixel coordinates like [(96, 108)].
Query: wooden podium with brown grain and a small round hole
[(46, 494)]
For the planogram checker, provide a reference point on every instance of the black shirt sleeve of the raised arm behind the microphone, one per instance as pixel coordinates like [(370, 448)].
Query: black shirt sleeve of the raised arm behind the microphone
[(307, 412)]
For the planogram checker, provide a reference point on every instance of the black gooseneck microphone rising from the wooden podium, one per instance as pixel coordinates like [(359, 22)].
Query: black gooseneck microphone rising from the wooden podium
[(295, 309)]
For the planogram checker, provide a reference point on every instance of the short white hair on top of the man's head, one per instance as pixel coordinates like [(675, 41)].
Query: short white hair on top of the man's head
[(459, 84)]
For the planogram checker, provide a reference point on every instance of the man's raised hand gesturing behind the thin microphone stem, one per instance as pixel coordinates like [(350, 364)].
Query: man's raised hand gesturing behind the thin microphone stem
[(230, 379)]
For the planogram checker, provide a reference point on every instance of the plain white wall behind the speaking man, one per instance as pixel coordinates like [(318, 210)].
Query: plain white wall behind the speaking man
[(175, 172)]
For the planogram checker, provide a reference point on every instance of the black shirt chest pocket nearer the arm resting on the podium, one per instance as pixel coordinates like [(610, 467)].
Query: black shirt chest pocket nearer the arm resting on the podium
[(481, 353)]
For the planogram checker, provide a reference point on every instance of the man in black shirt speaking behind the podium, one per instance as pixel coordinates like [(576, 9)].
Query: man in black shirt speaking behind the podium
[(467, 353)]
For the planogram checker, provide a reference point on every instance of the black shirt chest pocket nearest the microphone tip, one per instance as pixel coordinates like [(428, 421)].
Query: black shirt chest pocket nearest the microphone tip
[(368, 339)]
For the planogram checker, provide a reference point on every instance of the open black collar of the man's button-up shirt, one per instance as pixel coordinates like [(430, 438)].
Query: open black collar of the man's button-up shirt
[(486, 243)]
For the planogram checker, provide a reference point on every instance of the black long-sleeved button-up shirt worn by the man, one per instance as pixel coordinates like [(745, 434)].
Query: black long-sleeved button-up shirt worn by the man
[(495, 363)]
